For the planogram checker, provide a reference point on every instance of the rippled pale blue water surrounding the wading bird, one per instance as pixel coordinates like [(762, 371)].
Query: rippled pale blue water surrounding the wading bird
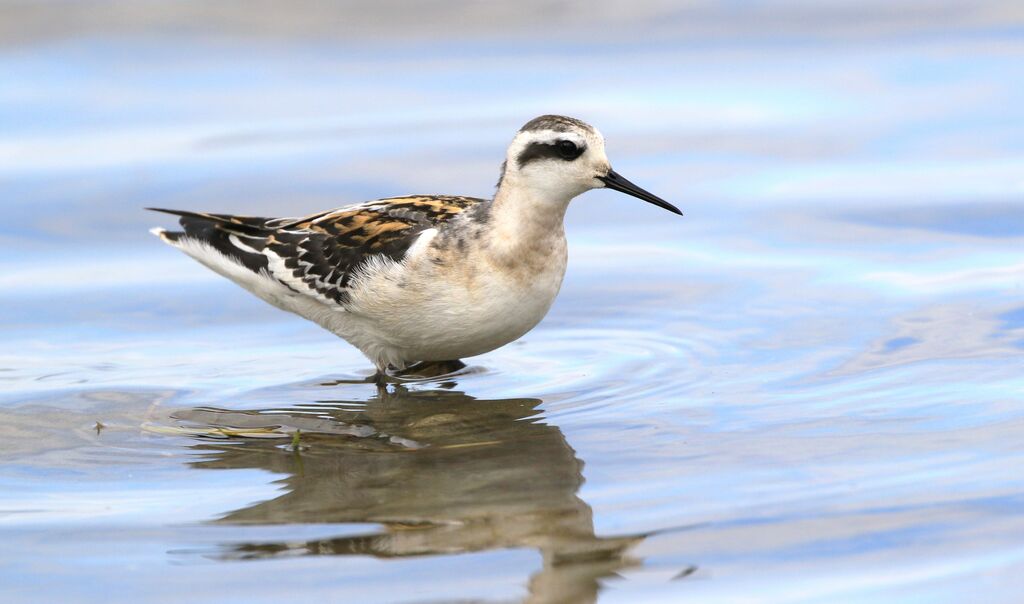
[(808, 390)]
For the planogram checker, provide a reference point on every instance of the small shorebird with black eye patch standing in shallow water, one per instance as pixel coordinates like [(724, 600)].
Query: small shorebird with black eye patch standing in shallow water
[(421, 279)]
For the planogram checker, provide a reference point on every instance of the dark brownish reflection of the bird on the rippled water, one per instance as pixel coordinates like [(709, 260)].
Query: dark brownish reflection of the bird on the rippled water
[(443, 472)]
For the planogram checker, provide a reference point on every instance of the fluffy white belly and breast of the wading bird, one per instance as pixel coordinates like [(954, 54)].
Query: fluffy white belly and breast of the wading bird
[(431, 309)]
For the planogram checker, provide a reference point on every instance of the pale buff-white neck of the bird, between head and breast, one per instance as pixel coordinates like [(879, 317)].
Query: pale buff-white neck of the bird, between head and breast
[(527, 223)]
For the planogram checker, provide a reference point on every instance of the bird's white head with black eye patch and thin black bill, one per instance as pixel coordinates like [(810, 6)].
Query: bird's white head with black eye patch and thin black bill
[(560, 158)]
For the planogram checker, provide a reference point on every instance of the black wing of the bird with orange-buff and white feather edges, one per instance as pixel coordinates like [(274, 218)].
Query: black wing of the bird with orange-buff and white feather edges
[(319, 255)]
